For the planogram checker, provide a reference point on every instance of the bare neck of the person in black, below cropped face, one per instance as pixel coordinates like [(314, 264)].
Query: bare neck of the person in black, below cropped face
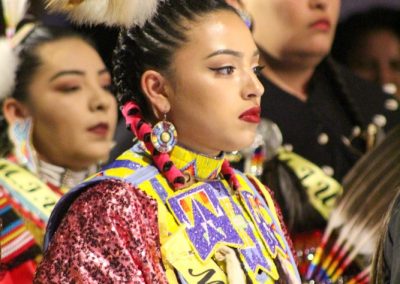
[(289, 76)]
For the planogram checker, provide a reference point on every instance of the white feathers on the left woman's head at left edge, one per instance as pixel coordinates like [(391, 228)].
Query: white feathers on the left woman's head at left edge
[(14, 11)]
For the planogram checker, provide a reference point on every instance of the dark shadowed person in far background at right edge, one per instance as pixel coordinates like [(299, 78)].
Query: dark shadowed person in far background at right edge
[(369, 44)]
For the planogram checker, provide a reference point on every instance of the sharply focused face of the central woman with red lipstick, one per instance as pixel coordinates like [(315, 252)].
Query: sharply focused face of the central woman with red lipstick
[(216, 93)]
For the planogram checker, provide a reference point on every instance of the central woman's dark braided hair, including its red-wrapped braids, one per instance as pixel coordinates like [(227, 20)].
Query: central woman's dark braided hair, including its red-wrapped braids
[(153, 46)]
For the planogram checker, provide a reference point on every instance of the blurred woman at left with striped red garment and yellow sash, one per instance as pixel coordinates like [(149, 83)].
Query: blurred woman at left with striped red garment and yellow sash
[(57, 123)]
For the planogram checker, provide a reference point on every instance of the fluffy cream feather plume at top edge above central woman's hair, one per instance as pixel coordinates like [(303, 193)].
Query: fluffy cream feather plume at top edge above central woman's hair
[(125, 13)]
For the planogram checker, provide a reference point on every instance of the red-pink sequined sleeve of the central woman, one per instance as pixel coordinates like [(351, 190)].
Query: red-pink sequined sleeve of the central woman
[(110, 235)]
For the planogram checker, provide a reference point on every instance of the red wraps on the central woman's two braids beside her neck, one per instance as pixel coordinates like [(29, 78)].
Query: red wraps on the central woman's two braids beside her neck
[(142, 130)]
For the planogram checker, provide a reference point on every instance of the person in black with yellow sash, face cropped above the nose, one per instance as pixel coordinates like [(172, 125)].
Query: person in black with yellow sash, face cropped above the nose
[(328, 117)]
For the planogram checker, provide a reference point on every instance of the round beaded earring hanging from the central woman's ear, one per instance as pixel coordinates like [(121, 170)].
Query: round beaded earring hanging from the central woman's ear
[(164, 136)]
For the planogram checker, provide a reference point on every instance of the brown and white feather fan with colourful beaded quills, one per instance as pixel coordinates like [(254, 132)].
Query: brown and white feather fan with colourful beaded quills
[(354, 225)]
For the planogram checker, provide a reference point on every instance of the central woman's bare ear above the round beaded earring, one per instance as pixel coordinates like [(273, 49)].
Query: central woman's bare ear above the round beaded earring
[(154, 86)]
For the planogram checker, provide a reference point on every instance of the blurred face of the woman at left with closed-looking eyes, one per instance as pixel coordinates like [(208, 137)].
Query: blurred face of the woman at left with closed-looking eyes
[(74, 114)]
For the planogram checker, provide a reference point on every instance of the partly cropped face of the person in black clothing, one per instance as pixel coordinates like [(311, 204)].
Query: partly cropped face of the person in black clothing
[(289, 29)]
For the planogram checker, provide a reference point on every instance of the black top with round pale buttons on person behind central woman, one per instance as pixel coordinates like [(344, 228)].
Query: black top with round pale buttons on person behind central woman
[(328, 127)]
